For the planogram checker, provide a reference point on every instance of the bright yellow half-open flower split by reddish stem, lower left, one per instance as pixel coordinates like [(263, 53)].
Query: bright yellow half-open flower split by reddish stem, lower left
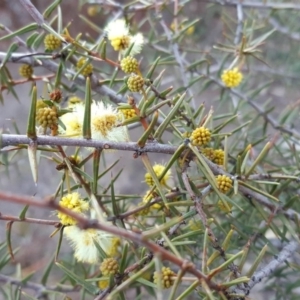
[(75, 203)]
